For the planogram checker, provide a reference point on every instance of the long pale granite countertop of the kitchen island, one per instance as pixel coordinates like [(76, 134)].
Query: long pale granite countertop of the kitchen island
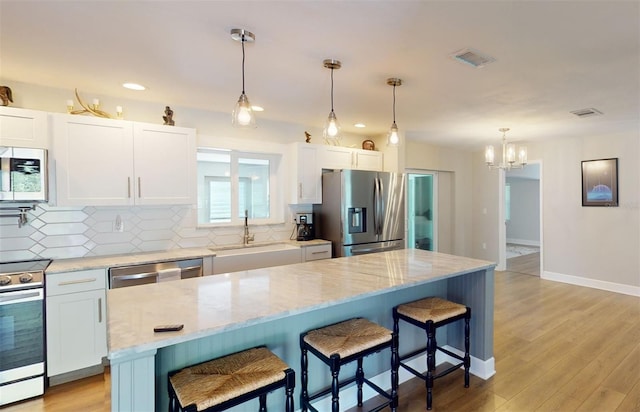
[(213, 304)]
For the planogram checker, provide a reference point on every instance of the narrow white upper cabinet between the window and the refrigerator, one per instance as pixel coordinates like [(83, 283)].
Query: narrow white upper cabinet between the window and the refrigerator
[(306, 177)]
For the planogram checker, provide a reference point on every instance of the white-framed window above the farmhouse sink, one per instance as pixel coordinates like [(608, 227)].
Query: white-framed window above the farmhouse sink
[(232, 182)]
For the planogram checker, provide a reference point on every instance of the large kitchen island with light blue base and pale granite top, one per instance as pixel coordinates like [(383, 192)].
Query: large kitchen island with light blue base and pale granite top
[(272, 306)]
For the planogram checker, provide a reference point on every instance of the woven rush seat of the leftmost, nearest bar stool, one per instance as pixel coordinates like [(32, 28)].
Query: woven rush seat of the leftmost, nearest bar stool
[(221, 380)]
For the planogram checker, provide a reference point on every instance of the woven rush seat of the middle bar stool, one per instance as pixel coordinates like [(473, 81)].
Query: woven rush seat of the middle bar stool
[(348, 338)]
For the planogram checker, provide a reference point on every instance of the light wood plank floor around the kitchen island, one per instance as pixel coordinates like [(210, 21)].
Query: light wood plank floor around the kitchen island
[(558, 347)]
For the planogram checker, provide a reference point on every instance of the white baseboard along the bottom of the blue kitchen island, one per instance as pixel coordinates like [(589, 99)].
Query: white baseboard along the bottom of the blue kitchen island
[(348, 396)]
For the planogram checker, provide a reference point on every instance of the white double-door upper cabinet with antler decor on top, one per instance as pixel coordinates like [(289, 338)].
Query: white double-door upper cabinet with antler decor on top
[(103, 162)]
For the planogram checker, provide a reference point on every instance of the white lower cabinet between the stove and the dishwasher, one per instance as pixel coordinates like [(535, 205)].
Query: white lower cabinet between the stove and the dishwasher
[(76, 320)]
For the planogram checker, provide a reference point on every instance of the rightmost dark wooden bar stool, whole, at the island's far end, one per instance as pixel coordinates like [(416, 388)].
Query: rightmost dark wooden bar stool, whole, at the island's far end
[(429, 314)]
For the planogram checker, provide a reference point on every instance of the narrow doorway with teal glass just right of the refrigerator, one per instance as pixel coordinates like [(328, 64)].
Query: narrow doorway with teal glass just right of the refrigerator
[(421, 210)]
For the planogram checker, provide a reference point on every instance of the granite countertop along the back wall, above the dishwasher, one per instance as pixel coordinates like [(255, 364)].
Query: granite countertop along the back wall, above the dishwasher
[(102, 262)]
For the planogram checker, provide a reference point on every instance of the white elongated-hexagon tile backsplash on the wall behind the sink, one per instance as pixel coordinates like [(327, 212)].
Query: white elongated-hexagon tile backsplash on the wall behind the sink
[(69, 232)]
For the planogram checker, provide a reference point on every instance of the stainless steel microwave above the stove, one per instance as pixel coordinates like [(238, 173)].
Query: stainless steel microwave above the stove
[(23, 174)]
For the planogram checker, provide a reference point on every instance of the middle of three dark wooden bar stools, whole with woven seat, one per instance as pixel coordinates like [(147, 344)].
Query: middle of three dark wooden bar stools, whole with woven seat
[(340, 344)]
